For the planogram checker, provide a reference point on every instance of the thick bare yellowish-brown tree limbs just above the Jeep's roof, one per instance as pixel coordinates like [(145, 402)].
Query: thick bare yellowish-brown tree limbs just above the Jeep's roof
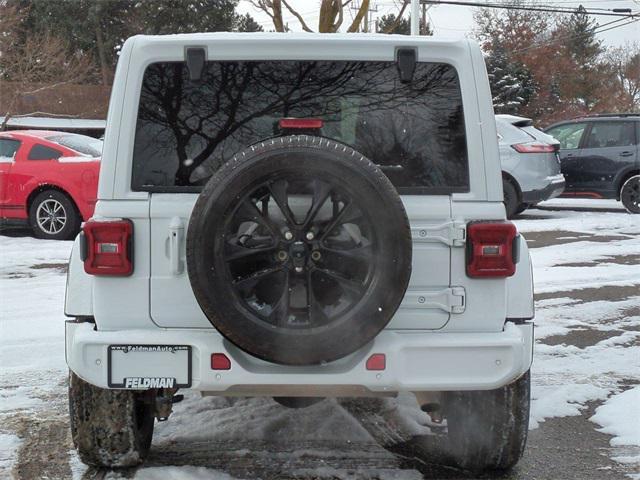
[(331, 14)]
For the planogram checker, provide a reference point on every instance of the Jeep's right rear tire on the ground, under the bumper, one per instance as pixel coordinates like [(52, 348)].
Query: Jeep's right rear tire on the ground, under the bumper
[(488, 429)]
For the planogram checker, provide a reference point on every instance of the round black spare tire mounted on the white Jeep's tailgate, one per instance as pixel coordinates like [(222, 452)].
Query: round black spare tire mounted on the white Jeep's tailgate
[(299, 250)]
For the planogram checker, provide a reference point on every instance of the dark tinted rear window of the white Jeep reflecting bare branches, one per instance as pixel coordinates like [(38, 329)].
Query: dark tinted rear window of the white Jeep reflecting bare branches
[(415, 131)]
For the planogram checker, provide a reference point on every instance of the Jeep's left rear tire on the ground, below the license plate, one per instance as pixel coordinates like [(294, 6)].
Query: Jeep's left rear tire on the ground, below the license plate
[(110, 428)]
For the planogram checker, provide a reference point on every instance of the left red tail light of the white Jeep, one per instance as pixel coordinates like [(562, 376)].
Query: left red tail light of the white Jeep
[(107, 247)]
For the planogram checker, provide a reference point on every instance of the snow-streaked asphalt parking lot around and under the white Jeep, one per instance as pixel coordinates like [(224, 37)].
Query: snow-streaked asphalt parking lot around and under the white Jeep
[(586, 264)]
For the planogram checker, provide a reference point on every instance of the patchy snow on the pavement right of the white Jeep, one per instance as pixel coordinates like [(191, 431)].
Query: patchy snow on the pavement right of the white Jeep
[(566, 377)]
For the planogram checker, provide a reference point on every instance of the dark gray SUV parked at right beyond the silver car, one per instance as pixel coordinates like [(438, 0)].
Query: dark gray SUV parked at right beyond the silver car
[(599, 157)]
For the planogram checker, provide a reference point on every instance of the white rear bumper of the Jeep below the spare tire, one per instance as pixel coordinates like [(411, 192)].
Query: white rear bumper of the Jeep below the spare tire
[(415, 361)]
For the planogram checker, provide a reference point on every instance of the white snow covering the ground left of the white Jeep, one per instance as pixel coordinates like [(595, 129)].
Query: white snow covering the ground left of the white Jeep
[(32, 281)]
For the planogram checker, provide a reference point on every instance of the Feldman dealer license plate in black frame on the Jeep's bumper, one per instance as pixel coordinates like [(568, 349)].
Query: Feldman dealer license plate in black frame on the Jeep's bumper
[(149, 366)]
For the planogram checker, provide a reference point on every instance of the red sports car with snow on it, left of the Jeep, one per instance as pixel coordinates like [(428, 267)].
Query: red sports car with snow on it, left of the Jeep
[(48, 180)]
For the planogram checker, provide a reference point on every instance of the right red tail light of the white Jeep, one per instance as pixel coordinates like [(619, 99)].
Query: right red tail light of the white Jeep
[(491, 249)]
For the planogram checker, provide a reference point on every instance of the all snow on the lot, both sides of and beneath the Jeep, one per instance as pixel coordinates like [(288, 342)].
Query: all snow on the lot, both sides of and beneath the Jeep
[(574, 254)]
